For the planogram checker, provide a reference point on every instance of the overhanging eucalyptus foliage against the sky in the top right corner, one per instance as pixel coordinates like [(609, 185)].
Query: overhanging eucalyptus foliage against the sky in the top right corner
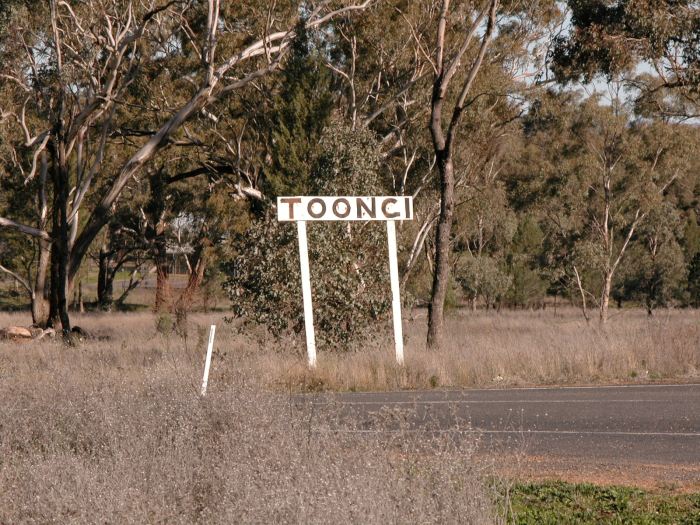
[(615, 38)]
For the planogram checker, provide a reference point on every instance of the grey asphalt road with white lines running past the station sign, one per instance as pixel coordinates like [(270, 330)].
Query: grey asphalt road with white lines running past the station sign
[(645, 424)]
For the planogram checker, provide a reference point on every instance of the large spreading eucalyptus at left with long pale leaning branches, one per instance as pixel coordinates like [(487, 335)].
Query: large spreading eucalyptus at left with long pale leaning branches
[(75, 74)]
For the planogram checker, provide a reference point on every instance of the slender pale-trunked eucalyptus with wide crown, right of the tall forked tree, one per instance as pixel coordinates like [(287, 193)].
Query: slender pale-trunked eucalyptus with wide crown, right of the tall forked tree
[(596, 185)]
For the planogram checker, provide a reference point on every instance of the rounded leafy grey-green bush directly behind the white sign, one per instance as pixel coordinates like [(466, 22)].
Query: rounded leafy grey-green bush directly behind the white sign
[(348, 260)]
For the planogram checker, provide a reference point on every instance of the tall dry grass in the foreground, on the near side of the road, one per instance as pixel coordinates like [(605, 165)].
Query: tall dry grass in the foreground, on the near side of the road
[(116, 431)]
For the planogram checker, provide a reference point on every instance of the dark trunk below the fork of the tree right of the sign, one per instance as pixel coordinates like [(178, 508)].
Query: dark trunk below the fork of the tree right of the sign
[(442, 254)]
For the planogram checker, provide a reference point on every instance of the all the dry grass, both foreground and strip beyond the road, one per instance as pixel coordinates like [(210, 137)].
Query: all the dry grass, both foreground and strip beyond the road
[(114, 430)]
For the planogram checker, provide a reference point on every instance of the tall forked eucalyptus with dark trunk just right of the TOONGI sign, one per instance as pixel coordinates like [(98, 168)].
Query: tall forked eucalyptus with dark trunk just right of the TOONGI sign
[(470, 36)]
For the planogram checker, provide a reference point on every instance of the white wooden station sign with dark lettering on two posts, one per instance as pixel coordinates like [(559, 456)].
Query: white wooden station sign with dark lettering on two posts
[(387, 209)]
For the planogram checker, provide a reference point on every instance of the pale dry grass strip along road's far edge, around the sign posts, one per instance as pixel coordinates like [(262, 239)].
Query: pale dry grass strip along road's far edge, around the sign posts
[(512, 349)]
